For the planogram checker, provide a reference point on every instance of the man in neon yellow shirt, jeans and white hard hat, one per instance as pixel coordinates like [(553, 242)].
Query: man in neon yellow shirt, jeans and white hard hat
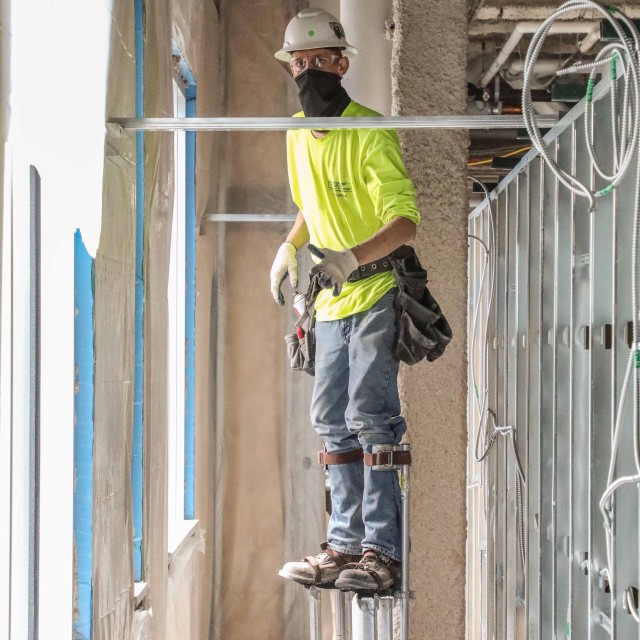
[(356, 205)]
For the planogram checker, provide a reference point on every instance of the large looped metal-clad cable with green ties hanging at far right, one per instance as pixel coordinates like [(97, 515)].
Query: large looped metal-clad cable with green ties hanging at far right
[(626, 150)]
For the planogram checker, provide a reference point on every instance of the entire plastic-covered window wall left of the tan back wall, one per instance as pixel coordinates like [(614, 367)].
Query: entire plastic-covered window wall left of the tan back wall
[(178, 600)]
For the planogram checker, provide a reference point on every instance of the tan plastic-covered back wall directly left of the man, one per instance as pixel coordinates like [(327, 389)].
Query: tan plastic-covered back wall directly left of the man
[(269, 500)]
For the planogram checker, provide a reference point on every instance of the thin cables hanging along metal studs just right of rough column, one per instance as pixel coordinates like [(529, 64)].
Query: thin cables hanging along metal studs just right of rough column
[(482, 399)]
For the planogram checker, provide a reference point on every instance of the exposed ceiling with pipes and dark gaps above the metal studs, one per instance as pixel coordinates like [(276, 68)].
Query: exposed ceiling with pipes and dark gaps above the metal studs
[(492, 24)]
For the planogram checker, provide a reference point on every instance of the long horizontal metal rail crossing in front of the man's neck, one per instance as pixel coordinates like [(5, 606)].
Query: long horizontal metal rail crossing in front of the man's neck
[(283, 124)]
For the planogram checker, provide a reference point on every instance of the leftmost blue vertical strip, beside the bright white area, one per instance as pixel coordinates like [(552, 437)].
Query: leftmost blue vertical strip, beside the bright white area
[(83, 434)]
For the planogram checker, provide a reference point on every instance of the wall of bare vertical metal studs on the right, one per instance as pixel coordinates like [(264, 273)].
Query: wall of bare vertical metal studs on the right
[(551, 366)]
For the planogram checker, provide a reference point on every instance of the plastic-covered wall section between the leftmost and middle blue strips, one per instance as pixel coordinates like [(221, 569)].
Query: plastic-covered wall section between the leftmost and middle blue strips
[(114, 311)]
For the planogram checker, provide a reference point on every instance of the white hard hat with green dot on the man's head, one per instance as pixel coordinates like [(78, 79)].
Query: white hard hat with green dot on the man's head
[(314, 29)]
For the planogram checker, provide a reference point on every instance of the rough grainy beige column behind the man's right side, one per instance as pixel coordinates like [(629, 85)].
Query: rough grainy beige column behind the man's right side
[(429, 78)]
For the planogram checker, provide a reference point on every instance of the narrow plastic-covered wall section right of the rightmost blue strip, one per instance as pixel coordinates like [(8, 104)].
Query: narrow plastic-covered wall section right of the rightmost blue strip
[(195, 28)]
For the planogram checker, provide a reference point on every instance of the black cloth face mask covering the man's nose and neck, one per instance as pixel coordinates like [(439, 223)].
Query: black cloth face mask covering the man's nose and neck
[(321, 93)]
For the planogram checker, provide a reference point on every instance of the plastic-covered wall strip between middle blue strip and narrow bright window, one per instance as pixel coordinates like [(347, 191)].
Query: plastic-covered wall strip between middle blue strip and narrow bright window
[(159, 194)]
